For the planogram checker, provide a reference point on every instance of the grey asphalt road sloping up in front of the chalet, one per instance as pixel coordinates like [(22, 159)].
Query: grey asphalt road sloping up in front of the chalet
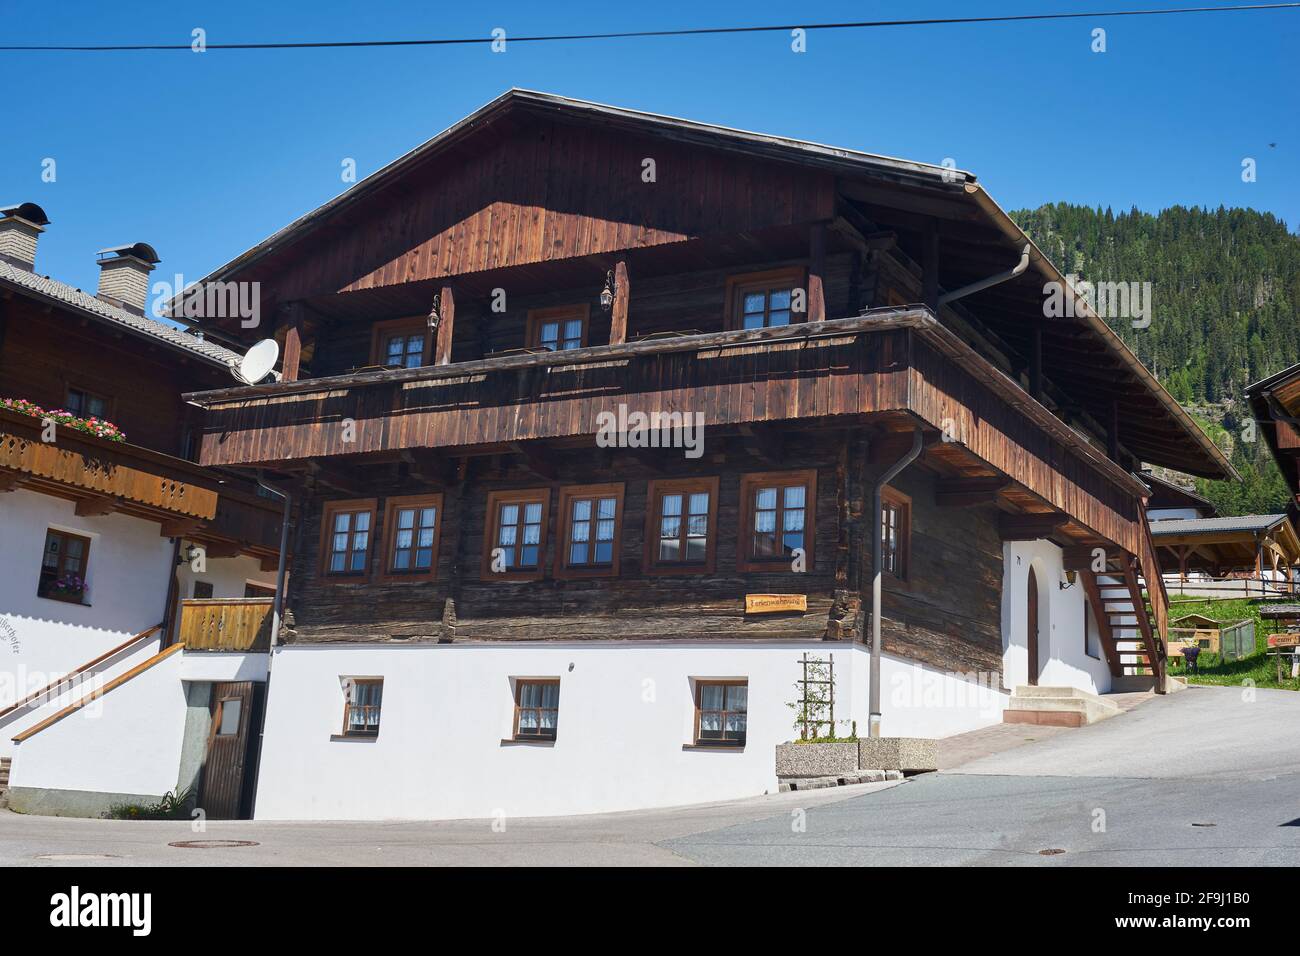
[(1201, 778)]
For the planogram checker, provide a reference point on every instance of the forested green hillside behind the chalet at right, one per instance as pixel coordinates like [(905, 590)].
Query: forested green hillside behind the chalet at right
[(1227, 313)]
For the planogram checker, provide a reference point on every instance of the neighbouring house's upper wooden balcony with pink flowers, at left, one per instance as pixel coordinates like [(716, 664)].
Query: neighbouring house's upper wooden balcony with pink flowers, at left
[(109, 477)]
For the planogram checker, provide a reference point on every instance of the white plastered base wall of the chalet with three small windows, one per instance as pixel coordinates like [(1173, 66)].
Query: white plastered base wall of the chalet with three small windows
[(625, 734)]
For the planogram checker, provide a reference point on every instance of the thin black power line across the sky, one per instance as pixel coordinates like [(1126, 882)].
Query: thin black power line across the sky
[(635, 34)]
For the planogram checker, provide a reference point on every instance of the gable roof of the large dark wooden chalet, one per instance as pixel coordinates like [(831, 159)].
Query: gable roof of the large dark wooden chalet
[(1155, 427)]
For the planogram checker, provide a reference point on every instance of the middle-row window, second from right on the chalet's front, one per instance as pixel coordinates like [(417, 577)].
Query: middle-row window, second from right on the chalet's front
[(682, 526)]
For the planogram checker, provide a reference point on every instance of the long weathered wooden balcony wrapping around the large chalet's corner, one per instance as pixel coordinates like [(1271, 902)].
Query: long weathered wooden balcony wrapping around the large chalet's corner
[(891, 365)]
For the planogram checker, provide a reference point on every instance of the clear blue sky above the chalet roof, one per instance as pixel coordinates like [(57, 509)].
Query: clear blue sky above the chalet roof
[(205, 155)]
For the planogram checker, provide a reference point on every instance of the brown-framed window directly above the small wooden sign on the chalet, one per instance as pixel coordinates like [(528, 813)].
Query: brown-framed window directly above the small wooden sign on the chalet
[(778, 517)]
